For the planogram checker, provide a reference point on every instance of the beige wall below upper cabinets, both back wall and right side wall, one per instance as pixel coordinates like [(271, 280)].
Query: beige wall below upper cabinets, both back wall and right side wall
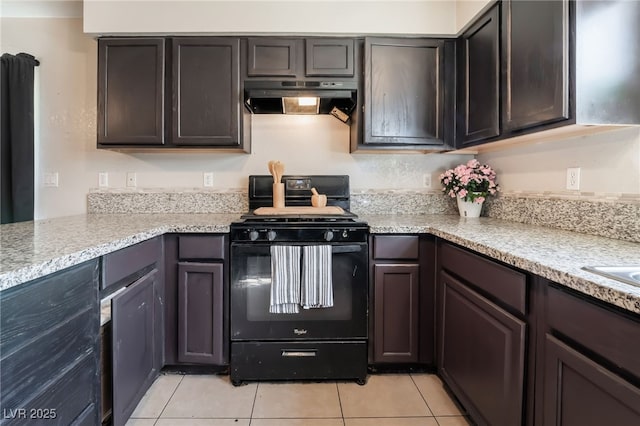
[(66, 140)]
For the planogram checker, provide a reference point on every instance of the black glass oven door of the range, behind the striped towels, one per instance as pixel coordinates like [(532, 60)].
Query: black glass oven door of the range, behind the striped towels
[(250, 298)]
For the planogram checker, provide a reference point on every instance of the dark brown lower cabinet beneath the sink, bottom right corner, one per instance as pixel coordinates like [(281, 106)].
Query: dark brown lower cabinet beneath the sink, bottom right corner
[(589, 358)]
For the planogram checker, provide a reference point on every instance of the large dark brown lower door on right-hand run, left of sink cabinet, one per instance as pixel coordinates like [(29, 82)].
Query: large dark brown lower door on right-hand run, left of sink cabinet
[(481, 354)]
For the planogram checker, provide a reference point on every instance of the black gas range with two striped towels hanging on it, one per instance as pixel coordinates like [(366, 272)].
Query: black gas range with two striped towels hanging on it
[(328, 342)]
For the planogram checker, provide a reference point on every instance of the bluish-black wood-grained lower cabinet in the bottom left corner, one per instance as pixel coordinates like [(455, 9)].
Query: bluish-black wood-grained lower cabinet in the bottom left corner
[(49, 353)]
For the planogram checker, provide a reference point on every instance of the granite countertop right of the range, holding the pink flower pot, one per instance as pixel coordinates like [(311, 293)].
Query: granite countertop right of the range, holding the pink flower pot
[(548, 252)]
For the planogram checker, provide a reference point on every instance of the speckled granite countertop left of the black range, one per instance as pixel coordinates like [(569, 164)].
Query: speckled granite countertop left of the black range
[(30, 250)]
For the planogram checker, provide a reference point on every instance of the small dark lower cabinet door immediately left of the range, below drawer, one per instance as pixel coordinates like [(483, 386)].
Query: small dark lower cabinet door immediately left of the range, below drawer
[(200, 313)]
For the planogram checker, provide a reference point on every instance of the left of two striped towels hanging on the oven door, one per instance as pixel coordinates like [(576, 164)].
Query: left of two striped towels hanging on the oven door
[(285, 280)]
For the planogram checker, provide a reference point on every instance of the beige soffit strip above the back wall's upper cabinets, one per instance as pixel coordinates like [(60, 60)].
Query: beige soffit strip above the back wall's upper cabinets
[(267, 16)]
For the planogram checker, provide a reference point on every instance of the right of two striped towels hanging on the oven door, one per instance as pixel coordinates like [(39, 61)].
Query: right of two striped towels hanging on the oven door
[(317, 283)]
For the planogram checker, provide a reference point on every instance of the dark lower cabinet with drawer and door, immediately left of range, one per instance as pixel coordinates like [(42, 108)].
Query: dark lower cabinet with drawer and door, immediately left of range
[(196, 291)]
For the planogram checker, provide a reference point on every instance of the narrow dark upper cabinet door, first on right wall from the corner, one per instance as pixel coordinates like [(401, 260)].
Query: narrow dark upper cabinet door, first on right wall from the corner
[(479, 80)]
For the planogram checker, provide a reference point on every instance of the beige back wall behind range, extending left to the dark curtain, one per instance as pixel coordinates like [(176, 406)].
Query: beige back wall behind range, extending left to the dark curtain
[(66, 126)]
